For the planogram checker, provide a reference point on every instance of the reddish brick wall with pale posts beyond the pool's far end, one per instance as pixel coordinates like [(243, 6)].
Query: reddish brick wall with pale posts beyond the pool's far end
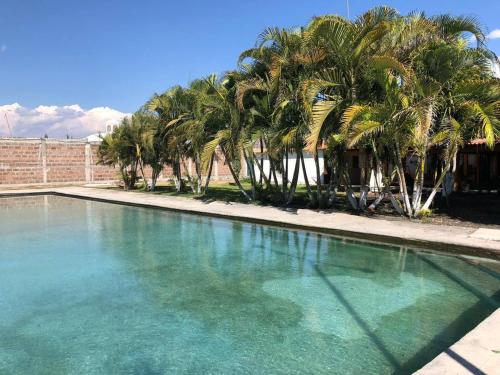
[(39, 161)]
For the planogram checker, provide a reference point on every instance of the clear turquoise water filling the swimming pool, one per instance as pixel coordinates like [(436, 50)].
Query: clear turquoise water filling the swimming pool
[(96, 288)]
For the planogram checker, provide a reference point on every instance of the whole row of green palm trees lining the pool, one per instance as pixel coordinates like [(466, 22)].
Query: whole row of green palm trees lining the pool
[(389, 85)]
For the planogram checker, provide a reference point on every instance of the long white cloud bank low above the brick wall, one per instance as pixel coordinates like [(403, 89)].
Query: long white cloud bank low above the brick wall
[(56, 121)]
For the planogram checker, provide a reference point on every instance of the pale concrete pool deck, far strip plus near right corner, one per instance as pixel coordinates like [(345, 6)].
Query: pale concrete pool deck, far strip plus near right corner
[(478, 352)]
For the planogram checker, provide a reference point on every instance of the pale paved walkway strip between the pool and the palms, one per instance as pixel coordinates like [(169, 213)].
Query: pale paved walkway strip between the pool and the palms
[(438, 237)]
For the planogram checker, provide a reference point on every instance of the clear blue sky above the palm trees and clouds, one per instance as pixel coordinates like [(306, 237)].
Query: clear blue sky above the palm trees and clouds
[(116, 54)]
